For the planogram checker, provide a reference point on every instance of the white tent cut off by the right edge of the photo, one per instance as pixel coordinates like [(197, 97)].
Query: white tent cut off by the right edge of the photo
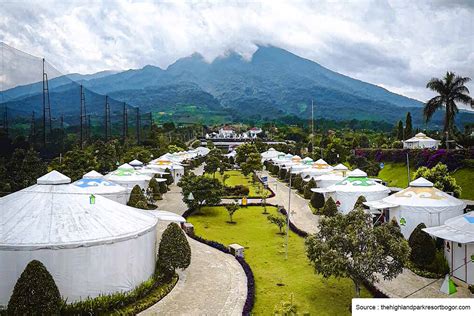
[(458, 233)]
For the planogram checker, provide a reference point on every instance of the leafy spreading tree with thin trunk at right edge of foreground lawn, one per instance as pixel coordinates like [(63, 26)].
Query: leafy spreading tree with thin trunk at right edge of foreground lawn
[(349, 246)]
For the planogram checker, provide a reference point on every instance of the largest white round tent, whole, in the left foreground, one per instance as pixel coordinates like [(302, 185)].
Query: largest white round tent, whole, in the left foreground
[(91, 245)]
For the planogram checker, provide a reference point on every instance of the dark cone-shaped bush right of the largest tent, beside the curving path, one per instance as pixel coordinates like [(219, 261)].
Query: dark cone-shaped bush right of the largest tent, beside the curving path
[(174, 251)]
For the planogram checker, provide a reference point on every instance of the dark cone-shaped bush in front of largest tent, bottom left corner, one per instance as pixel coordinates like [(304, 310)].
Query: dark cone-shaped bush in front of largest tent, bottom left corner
[(35, 292)]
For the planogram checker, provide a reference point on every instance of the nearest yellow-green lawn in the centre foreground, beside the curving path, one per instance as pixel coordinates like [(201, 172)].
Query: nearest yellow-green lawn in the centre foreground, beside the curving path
[(276, 278)]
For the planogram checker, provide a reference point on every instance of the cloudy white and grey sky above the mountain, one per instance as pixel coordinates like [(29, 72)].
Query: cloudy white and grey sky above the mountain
[(397, 44)]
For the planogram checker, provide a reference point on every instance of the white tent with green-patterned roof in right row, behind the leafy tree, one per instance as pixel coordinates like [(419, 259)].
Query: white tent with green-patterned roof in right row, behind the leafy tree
[(346, 192)]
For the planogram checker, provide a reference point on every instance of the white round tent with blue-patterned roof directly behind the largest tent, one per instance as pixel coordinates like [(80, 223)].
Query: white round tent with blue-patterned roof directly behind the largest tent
[(94, 183)]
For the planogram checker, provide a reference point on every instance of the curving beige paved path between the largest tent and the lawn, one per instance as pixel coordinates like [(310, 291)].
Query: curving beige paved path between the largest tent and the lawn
[(213, 284)]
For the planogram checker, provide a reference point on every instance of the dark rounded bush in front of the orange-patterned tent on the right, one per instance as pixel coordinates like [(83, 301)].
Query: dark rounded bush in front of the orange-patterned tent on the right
[(423, 247)]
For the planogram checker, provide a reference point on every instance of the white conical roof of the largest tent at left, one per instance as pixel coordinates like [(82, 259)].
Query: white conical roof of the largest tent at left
[(52, 215)]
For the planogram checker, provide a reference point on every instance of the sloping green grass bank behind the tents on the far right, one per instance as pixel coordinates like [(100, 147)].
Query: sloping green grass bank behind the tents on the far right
[(396, 175)]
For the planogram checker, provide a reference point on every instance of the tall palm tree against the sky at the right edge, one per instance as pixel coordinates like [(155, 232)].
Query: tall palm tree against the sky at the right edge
[(450, 89)]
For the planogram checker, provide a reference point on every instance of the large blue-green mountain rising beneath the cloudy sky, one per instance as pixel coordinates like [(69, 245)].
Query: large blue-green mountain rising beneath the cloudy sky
[(273, 83)]
